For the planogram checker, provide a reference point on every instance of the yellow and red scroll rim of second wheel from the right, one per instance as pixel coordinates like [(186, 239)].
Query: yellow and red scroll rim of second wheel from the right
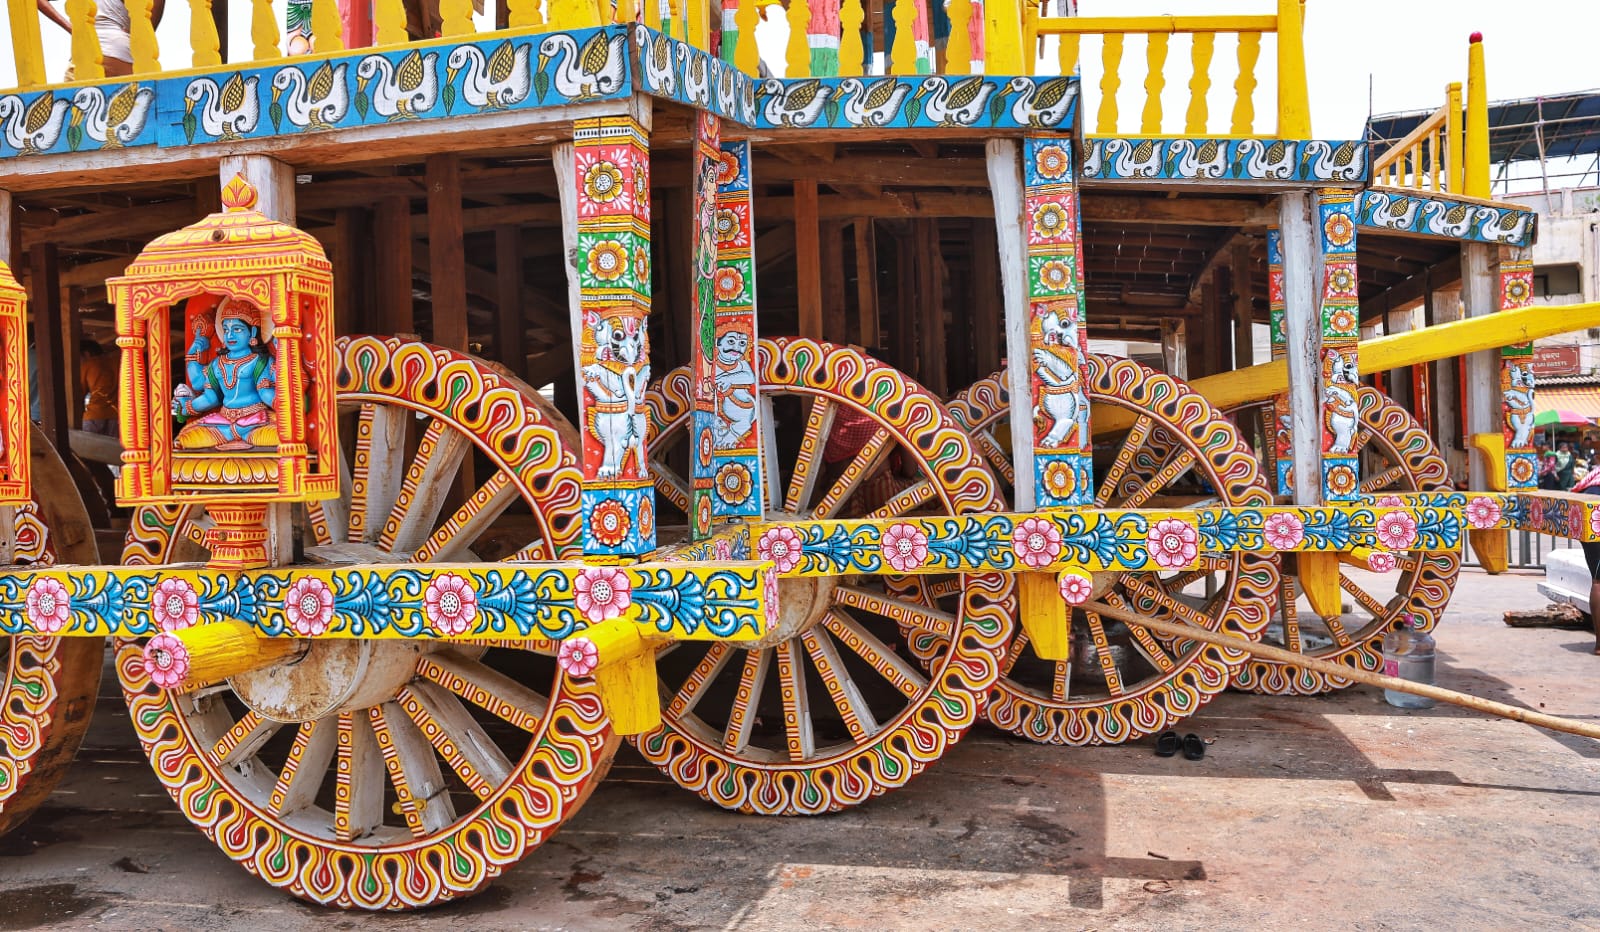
[(1242, 608)]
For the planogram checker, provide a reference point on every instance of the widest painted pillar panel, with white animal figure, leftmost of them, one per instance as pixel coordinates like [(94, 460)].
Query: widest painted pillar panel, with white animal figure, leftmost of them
[(612, 174)]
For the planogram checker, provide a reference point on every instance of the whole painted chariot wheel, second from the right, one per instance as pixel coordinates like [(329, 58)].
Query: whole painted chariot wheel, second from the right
[(1124, 681)]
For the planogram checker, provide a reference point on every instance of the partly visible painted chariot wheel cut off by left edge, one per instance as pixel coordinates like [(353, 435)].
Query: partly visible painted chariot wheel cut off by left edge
[(47, 685)]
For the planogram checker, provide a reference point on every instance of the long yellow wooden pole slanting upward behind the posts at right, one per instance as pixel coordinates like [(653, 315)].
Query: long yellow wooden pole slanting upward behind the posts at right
[(1258, 384)]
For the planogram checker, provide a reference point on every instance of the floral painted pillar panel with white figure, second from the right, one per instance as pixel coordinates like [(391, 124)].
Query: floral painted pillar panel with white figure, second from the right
[(1342, 307)]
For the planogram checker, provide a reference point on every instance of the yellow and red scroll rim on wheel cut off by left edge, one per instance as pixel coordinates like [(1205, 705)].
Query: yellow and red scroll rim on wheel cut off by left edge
[(28, 681)]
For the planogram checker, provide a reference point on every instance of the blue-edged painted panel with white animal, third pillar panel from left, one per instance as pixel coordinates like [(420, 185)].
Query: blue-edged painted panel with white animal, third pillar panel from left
[(737, 422)]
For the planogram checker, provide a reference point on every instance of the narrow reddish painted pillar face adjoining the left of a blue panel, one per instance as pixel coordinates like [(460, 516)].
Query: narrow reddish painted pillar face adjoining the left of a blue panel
[(708, 163)]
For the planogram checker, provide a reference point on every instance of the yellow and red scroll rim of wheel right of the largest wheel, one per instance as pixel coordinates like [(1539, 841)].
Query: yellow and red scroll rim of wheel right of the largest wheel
[(948, 705)]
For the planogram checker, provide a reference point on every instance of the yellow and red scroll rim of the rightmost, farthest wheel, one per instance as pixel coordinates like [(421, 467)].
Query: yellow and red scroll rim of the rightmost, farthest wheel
[(1425, 580)]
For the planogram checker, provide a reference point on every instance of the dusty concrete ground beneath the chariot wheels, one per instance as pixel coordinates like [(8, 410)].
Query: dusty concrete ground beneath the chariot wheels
[(1326, 813)]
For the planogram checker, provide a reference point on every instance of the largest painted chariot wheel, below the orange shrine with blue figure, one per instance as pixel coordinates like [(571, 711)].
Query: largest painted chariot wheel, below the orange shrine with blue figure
[(394, 774)]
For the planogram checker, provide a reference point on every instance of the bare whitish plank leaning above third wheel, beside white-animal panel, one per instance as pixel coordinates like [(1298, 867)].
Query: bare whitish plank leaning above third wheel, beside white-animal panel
[(1006, 182)]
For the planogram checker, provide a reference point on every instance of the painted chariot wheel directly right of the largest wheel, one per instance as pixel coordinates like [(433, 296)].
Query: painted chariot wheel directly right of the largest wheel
[(833, 710)]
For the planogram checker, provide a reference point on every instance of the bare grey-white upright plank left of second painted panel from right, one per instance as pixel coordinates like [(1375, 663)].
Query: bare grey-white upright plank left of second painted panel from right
[(1303, 334)]
